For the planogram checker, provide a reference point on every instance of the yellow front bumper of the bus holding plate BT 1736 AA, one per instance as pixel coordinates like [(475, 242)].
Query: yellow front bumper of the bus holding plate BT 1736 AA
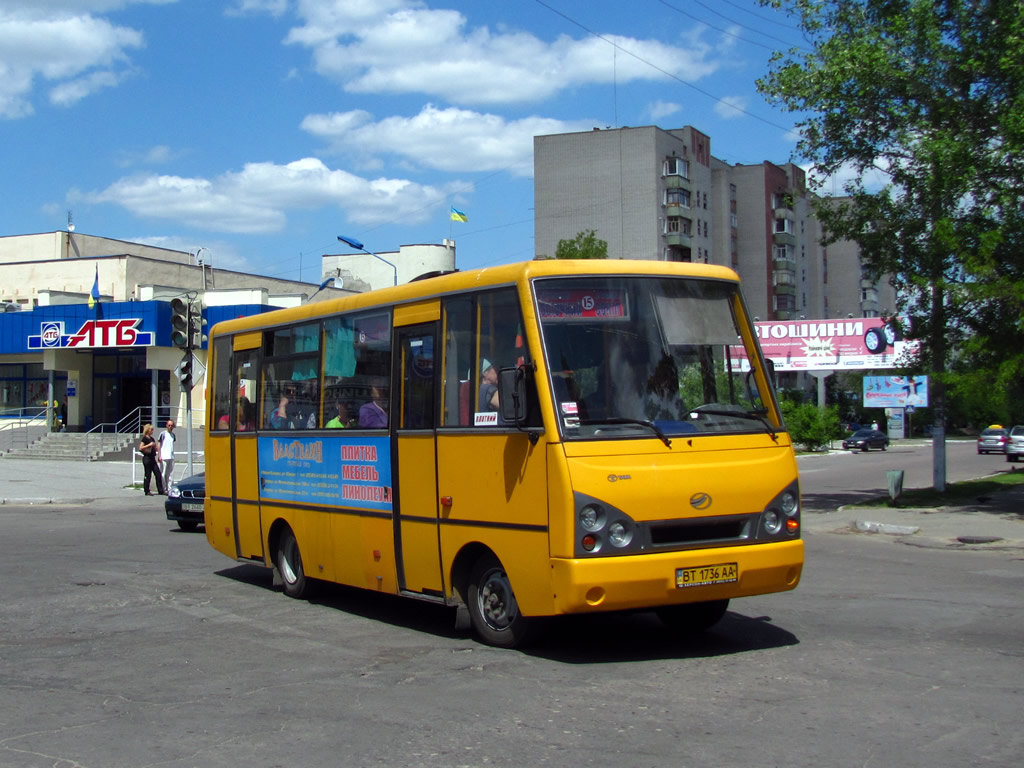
[(650, 581)]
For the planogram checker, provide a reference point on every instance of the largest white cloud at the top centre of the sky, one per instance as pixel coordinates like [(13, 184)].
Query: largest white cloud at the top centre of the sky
[(403, 48)]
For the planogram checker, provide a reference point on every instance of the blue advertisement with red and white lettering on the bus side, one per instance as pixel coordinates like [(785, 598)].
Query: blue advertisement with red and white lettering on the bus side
[(343, 472)]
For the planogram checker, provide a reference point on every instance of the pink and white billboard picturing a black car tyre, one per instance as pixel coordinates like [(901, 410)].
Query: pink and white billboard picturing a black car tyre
[(852, 345)]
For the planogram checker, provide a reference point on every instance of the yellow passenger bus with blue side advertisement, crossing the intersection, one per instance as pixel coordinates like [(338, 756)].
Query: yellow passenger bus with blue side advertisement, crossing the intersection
[(521, 442)]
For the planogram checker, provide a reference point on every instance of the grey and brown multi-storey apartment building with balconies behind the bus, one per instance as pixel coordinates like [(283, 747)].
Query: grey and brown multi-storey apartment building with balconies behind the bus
[(655, 194)]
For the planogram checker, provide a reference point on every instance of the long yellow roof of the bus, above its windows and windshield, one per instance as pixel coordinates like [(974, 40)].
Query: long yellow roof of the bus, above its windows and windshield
[(459, 282)]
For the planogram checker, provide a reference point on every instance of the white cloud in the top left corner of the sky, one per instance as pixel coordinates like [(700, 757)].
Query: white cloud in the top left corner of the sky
[(77, 53)]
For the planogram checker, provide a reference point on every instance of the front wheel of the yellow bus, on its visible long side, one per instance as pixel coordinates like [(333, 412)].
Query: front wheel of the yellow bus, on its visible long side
[(493, 608)]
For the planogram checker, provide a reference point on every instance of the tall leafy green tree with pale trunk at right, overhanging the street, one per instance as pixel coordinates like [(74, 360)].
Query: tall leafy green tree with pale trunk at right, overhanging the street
[(928, 95)]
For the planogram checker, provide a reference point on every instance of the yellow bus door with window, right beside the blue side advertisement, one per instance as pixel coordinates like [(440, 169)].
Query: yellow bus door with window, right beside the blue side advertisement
[(413, 441)]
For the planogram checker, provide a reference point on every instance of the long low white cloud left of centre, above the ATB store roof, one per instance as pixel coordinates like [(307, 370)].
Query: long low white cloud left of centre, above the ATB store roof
[(257, 200)]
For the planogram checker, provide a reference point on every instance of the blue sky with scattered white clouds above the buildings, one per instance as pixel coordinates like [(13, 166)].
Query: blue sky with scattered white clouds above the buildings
[(263, 130)]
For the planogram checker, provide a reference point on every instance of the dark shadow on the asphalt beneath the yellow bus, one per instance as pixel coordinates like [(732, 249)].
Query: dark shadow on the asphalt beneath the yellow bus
[(598, 638)]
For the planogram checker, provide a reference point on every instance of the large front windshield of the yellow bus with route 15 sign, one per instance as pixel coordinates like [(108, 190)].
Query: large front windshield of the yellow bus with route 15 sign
[(649, 357)]
